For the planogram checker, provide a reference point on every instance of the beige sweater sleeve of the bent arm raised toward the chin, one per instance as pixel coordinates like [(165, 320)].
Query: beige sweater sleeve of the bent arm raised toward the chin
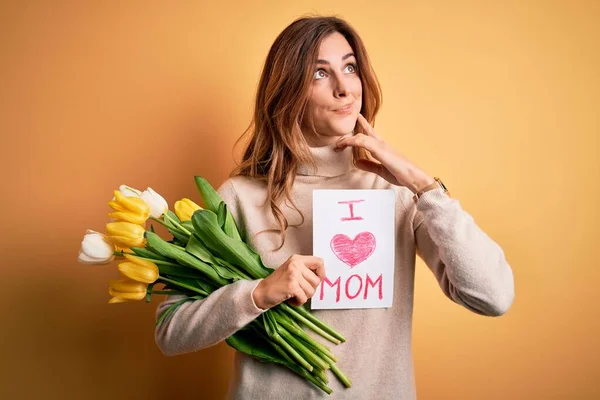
[(469, 266)]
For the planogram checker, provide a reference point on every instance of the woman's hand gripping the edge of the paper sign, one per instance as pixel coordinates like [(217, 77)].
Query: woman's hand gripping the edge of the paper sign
[(297, 278)]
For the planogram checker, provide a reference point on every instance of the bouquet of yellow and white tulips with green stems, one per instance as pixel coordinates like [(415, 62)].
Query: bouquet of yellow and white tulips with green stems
[(205, 253)]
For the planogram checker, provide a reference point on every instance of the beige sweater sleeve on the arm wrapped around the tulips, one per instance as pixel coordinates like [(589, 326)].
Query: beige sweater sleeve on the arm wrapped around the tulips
[(202, 323)]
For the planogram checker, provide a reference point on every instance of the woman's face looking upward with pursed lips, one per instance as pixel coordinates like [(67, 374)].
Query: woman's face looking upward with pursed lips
[(336, 94)]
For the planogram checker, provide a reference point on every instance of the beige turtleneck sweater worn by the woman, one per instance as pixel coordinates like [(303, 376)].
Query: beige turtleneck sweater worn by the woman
[(470, 267)]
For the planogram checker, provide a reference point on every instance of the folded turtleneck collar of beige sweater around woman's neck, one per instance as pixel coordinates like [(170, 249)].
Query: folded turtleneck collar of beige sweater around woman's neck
[(329, 162)]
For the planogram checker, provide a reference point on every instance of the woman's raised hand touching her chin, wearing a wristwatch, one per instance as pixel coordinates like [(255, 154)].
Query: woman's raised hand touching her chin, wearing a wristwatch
[(393, 167)]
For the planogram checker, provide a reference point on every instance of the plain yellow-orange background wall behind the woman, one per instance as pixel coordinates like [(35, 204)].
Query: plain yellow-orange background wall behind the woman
[(500, 99)]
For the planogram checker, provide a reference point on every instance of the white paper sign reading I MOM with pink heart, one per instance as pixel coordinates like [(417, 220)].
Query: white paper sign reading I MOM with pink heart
[(354, 233)]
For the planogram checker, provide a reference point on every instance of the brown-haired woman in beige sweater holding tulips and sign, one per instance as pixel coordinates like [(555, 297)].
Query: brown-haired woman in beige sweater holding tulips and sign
[(316, 90)]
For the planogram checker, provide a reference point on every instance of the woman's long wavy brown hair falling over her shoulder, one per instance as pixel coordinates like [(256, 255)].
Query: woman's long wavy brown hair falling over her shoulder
[(277, 145)]
